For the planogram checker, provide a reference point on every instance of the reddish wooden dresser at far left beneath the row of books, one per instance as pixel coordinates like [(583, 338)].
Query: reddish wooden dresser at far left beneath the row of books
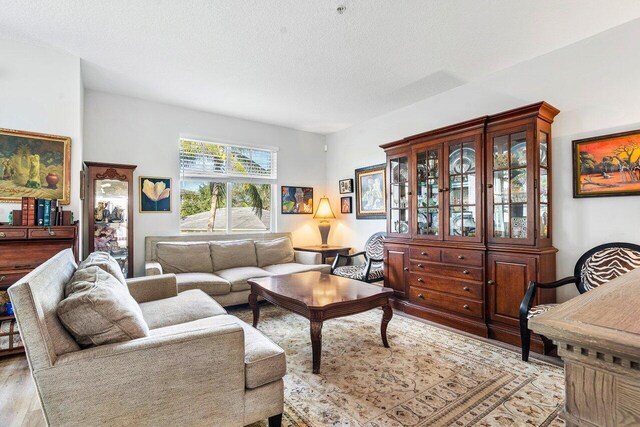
[(24, 248)]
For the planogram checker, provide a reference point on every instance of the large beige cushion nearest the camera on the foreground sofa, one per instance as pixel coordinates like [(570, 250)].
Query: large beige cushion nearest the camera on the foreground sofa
[(98, 310)]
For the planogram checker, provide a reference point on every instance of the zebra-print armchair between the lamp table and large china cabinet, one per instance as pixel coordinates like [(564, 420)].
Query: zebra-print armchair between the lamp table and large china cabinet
[(371, 270)]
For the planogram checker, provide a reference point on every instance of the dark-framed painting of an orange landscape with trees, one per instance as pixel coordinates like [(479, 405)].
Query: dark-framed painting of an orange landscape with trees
[(607, 165)]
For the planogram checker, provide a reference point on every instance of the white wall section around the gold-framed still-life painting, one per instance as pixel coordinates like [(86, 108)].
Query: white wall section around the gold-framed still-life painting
[(41, 91)]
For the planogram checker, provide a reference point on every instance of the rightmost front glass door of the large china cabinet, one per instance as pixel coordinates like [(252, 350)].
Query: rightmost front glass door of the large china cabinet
[(509, 183)]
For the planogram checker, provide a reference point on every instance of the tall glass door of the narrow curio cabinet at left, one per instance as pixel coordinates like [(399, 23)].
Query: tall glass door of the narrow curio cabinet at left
[(110, 214)]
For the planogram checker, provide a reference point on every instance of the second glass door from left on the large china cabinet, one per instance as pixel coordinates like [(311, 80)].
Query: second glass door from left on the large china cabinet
[(428, 190)]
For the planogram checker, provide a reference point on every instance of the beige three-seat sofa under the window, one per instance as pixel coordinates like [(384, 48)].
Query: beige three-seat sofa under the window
[(220, 268)]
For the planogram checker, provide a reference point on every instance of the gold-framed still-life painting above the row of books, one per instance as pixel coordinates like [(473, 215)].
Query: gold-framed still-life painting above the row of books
[(34, 165)]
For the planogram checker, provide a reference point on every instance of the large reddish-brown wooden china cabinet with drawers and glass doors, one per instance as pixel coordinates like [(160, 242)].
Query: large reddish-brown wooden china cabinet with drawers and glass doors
[(469, 221)]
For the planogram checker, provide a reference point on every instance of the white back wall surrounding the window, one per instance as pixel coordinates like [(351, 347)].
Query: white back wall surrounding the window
[(120, 129)]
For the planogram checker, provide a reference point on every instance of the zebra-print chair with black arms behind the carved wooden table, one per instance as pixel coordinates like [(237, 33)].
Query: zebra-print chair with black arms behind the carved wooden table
[(595, 268)]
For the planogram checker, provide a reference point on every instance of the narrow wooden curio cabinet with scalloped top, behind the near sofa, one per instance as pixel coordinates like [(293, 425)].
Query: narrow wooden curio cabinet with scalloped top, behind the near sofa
[(109, 211)]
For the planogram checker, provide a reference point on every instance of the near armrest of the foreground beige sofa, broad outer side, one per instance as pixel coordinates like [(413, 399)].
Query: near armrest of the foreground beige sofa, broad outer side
[(193, 374)]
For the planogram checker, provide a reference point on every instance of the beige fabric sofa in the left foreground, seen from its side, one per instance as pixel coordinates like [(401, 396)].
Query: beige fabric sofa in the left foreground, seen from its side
[(198, 366)]
